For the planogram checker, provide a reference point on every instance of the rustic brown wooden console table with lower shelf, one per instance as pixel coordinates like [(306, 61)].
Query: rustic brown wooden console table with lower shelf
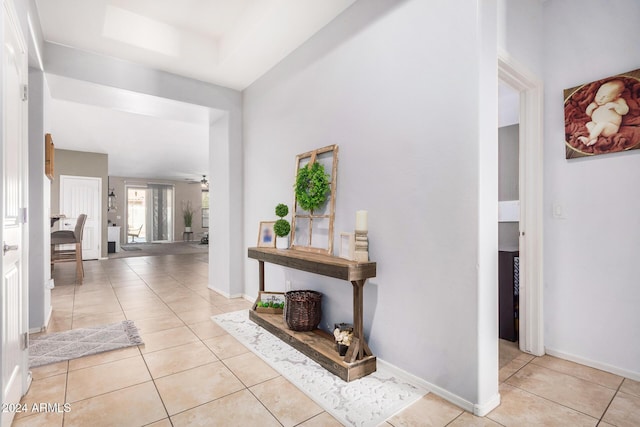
[(319, 345)]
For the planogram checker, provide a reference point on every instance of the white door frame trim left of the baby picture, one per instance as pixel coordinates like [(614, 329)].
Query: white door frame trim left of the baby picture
[(531, 202)]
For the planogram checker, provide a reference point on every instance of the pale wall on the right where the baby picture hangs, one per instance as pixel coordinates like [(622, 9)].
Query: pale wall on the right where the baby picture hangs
[(592, 291)]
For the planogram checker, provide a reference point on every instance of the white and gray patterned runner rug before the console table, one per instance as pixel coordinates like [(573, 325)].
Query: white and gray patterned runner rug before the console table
[(368, 401)]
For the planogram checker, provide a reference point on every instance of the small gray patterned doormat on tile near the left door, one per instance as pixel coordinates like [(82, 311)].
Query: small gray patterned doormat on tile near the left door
[(60, 346)]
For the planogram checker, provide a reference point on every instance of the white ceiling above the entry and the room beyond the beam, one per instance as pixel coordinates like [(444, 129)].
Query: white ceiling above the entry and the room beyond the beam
[(230, 43)]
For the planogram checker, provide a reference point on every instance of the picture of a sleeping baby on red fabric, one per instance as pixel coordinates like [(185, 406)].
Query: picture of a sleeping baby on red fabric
[(603, 116)]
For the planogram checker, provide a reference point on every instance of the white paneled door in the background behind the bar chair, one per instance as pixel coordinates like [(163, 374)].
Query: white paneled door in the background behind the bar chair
[(83, 195)]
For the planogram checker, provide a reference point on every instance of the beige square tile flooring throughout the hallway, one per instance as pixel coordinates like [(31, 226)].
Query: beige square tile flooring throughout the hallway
[(190, 372)]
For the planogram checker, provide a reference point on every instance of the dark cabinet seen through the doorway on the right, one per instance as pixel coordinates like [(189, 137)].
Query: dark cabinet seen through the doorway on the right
[(508, 294)]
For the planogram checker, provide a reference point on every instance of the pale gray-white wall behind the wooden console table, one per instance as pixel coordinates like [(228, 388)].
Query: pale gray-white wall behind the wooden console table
[(404, 109)]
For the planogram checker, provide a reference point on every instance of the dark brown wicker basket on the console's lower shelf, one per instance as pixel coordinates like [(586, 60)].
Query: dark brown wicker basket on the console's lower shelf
[(302, 310)]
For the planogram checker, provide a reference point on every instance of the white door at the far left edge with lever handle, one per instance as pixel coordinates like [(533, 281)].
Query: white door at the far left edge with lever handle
[(14, 232)]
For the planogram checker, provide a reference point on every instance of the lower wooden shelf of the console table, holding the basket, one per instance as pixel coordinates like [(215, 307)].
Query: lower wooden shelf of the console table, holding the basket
[(317, 345)]
